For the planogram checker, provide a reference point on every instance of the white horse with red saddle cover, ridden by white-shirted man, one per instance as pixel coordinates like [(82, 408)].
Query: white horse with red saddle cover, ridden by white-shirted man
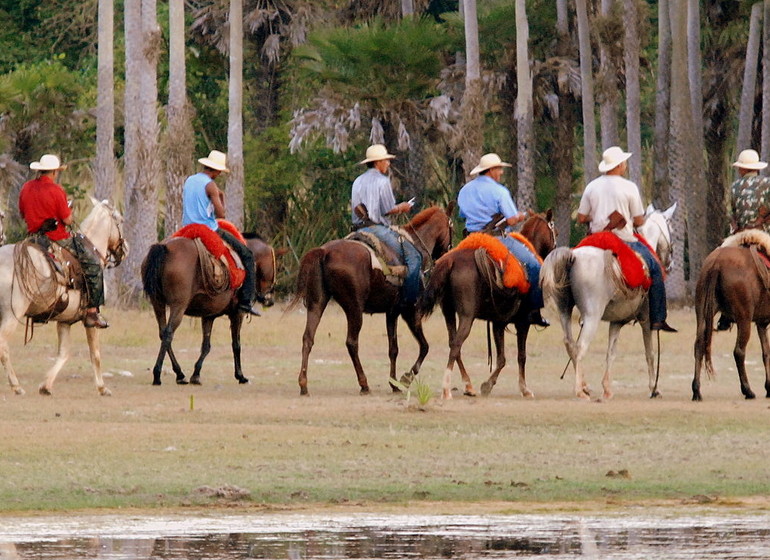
[(590, 278)]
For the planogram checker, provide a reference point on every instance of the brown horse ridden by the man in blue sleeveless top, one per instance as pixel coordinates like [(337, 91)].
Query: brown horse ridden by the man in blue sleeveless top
[(171, 275)]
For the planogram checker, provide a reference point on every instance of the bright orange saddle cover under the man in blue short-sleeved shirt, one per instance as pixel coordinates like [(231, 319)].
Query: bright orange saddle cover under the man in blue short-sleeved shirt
[(496, 262)]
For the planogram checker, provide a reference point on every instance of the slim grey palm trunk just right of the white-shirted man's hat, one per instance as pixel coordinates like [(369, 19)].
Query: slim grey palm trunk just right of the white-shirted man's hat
[(633, 92)]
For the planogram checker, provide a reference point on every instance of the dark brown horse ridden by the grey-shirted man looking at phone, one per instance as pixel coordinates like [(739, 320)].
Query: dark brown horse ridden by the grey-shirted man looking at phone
[(342, 270)]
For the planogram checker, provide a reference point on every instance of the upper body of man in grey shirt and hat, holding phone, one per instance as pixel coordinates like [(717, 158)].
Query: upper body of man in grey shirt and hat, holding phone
[(372, 200)]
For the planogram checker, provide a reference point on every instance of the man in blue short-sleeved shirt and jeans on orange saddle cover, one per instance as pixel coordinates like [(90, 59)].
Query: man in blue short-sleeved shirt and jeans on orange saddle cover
[(484, 198)]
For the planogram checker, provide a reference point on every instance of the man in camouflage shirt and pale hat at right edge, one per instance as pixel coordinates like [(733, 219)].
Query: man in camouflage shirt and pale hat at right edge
[(750, 194)]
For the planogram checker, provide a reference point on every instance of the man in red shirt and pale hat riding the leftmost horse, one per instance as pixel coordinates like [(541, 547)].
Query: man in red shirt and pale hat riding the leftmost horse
[(43, 204)]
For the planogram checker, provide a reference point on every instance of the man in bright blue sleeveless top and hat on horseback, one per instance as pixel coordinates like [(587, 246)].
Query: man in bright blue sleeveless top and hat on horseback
[(202, 203)]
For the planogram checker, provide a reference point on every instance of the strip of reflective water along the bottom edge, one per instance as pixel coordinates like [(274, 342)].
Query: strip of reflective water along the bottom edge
[(368, 536)]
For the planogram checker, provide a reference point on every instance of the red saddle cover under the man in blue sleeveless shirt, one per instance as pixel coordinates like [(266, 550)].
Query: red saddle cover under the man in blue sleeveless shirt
[(220, 266)]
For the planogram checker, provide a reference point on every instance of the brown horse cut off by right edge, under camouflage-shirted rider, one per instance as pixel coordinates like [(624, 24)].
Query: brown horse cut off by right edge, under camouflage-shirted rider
[(730, 281)]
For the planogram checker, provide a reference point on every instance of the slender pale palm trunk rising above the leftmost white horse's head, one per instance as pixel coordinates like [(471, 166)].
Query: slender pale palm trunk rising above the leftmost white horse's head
[(104, 165)]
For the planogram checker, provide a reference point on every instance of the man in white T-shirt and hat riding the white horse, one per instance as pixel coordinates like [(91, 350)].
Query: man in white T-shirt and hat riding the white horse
[(612, 203)]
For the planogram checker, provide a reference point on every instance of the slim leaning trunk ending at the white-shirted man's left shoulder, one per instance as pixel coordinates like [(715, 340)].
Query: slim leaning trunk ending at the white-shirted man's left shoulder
[(590, 170)]
